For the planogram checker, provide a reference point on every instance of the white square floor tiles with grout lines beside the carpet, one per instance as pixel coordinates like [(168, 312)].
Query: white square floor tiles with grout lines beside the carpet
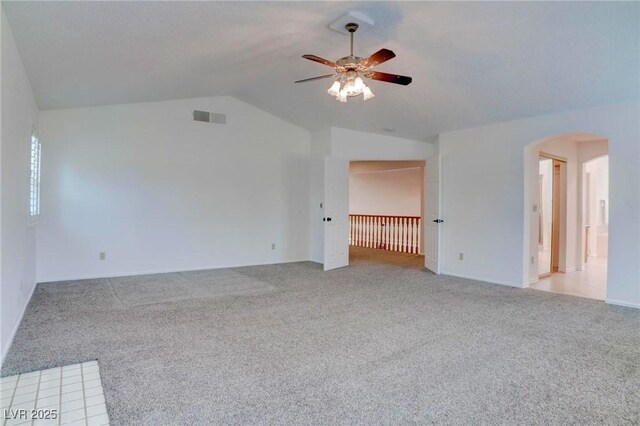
[(69, 395)]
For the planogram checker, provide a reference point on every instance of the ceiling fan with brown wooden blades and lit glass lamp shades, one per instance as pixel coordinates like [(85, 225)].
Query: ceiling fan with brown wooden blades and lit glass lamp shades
[(350, 70)]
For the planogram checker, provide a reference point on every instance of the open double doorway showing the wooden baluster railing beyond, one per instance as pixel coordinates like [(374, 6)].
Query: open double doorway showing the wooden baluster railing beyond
[(386, 207)]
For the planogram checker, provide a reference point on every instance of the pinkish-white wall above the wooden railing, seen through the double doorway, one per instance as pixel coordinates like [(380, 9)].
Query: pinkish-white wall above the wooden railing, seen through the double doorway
[(386, 192)]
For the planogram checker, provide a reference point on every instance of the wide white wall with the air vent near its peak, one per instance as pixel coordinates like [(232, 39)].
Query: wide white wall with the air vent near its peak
[(159, 192)]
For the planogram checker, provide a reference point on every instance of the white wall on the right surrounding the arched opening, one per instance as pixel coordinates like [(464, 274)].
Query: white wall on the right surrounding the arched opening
[(484, 196)]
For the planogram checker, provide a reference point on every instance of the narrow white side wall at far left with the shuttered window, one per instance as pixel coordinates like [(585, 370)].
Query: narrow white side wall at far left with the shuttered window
[(18, 240)]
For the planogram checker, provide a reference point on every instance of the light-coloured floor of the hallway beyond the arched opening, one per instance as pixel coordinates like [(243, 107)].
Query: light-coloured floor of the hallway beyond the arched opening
[(590, 283)]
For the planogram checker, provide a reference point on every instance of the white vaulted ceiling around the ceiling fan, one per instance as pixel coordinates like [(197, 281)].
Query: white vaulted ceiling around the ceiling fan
[(472, 63)]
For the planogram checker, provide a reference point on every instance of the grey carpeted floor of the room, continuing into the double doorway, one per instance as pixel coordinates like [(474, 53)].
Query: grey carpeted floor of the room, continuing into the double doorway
[(374, 343)]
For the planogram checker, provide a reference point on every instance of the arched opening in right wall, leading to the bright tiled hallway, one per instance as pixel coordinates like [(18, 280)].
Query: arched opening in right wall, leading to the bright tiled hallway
[(566, 216)]
